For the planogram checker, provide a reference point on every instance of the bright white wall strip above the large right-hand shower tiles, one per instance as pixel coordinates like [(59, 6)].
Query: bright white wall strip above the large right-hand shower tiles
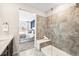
[(60, 8)]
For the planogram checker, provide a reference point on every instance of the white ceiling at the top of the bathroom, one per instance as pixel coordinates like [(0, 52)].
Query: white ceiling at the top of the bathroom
[(44, 6)]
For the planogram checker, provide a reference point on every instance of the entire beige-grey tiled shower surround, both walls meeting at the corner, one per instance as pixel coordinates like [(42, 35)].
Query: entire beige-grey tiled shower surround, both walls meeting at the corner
[(62, 28)]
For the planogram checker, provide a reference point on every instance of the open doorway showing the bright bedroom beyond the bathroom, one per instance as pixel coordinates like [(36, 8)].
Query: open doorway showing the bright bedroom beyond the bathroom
[(26, 30)]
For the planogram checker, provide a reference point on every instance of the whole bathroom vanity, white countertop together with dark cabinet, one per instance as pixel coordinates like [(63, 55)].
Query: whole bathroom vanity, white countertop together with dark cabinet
[(6, 46)]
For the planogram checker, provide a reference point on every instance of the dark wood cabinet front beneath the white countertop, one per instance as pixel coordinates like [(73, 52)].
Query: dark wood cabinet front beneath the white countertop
[(9, 49)]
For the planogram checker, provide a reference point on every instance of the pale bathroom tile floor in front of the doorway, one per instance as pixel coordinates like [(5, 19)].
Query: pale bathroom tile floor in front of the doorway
[(31, 52)]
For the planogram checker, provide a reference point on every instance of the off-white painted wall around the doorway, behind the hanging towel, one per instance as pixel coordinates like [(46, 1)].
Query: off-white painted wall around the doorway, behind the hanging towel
[(9, 13)]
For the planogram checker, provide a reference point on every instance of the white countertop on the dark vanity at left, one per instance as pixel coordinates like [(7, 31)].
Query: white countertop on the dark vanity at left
[(4, 41)]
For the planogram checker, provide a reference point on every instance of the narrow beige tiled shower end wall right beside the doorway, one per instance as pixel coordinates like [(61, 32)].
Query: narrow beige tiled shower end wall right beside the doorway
[(40, 26)]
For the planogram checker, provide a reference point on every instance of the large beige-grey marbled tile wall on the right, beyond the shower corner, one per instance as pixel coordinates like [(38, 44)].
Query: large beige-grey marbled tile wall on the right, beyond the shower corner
[(65, 30)]
